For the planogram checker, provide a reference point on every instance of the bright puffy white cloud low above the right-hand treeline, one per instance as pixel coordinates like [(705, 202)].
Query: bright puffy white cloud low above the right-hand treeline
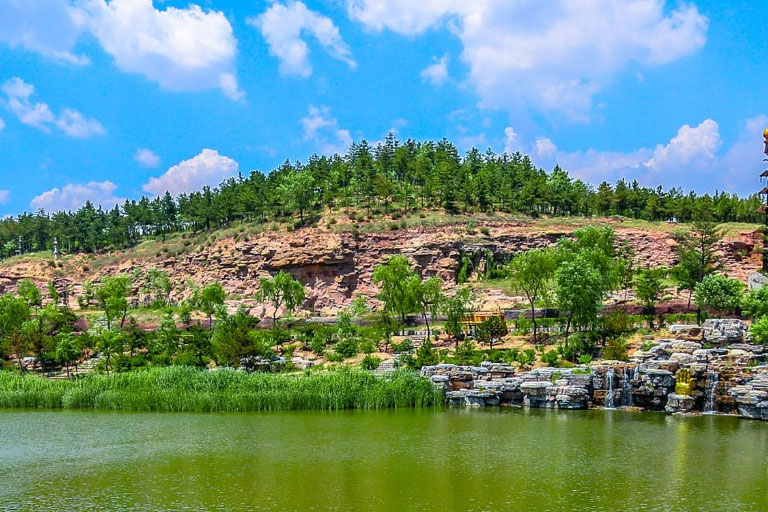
[(692, 144)]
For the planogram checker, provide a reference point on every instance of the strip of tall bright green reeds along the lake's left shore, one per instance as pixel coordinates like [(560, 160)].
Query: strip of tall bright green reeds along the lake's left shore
[(177, 389)]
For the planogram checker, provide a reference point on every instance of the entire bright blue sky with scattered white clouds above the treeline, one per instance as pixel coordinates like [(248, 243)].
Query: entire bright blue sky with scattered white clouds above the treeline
[(111, 100)]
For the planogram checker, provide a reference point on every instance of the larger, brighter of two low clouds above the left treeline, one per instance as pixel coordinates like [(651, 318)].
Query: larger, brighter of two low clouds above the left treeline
[(207, 168)]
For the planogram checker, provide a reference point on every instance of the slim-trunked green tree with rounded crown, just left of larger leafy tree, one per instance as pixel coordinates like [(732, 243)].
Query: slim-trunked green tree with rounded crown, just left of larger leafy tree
[(531, 274)]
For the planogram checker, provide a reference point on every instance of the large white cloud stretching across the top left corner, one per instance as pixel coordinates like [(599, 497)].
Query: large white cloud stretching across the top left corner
[(179, 48)]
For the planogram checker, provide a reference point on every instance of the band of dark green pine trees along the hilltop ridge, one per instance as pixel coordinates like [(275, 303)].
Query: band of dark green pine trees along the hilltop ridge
[(391, 177)]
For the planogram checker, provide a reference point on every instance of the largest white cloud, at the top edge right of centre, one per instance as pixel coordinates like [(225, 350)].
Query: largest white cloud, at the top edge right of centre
[(554, 56)]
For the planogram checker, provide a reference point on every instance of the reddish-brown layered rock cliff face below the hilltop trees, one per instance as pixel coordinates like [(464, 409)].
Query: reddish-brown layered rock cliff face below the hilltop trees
[(335, 266)]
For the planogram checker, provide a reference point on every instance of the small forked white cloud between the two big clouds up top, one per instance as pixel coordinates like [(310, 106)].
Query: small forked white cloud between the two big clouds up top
[(283, 25)]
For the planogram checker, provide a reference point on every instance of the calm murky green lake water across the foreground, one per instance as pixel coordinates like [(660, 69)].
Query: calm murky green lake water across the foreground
[(426, 460)]
